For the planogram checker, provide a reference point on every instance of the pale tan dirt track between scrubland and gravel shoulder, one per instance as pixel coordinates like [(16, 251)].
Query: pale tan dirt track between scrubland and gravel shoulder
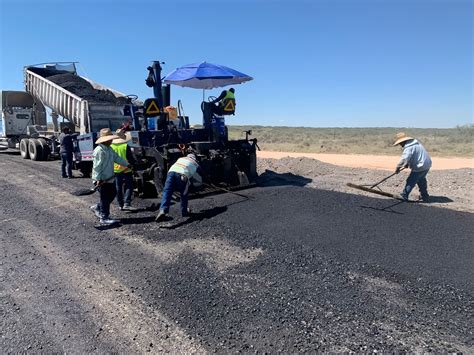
[(383, 162)]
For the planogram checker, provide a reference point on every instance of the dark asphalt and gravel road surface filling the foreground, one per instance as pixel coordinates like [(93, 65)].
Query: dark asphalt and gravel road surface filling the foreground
[(294, 270)]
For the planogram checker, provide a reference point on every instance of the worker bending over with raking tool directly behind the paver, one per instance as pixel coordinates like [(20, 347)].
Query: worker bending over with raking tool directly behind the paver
[(179, 179)]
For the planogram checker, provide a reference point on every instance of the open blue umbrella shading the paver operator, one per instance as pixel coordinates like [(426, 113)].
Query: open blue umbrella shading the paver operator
[(205, 76)]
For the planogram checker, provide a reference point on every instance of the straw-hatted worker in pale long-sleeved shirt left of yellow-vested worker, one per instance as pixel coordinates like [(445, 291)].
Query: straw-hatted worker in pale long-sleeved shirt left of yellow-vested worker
[(103, 175)]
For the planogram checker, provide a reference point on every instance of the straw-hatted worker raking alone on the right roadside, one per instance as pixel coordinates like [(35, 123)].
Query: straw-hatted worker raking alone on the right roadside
[(416, 158)]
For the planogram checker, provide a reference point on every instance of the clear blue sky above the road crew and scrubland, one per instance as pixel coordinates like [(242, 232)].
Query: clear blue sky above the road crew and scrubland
[(320, 63)]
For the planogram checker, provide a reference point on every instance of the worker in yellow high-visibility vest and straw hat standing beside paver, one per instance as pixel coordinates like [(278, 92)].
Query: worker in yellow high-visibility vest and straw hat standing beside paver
[(123, 174)]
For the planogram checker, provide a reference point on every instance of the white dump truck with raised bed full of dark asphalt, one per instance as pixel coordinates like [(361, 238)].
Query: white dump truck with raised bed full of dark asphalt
[(84, 106)]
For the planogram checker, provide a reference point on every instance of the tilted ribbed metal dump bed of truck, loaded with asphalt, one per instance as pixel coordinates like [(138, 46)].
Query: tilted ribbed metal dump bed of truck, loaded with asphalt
[(88, 105)]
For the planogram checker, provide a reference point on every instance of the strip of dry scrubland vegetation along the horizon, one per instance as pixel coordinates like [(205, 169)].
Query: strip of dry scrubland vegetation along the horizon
[(452, 142)]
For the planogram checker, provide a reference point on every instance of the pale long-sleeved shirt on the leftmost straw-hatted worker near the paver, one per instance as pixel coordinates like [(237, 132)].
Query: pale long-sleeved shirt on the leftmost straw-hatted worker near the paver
[(104, 158)]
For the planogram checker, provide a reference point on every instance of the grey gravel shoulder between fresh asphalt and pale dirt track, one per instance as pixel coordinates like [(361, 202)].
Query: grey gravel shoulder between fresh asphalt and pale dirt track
[(451, 189)]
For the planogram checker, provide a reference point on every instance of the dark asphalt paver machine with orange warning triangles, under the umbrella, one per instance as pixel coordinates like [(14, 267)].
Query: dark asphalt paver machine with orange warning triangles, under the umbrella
[(161, 136)]
